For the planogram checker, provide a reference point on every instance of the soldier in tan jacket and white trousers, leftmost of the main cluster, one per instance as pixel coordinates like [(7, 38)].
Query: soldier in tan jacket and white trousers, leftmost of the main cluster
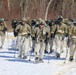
[(24, 32)]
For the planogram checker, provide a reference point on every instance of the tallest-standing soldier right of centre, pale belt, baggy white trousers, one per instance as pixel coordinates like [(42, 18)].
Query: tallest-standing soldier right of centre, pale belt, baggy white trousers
[(61, 31)]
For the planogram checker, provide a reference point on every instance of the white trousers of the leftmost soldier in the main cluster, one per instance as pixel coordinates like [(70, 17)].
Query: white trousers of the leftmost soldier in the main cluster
[(24, 46)]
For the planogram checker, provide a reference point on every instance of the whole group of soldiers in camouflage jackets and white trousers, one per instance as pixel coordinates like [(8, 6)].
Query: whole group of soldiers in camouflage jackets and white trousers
[(41, 35)]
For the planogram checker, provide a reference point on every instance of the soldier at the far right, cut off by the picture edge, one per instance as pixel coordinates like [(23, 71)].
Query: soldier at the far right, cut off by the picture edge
[(72, 35)]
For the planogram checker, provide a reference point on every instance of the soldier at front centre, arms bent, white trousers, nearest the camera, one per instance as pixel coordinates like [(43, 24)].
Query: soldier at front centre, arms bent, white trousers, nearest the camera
[(39, 34)]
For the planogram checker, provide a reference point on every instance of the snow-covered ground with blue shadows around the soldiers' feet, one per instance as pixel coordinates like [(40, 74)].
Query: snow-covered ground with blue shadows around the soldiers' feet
[(11, 65)]
